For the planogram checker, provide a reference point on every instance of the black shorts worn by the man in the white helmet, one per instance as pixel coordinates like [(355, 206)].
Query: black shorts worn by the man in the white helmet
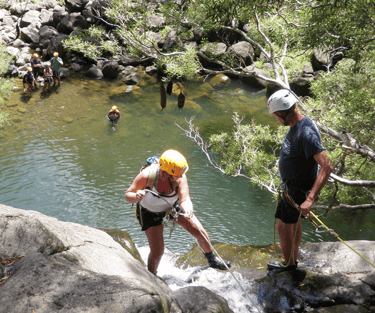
[(285, 211)]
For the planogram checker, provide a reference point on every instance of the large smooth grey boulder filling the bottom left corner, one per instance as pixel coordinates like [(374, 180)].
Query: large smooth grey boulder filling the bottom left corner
[(68, 267)]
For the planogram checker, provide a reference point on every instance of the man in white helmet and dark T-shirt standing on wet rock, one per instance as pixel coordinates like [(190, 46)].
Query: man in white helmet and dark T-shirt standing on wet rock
[(300, 155)]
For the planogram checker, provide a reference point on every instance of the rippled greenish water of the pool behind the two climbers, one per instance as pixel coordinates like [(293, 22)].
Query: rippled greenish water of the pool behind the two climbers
[(62, 157)]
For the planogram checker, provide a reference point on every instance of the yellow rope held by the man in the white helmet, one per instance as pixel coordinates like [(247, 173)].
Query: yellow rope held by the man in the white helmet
[(317, 229)]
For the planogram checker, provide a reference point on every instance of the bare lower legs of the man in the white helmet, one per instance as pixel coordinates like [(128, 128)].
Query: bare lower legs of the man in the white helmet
[(290, 239)]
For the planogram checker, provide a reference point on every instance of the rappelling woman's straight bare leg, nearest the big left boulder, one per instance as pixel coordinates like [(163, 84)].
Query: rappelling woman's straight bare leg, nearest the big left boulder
[(156, 241)]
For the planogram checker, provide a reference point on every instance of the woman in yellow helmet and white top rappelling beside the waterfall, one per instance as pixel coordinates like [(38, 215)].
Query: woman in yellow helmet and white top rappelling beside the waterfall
[(169, 187)]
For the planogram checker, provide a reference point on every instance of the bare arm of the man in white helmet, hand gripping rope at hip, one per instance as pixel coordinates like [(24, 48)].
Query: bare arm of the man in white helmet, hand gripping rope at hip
[(325, 170)]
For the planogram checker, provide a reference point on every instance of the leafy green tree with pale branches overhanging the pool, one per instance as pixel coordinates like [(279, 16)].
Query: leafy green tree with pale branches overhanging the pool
[(283, 34)]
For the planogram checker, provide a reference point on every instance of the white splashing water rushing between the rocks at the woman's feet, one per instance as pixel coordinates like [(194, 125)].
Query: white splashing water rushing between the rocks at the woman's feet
[(220, 282)]
